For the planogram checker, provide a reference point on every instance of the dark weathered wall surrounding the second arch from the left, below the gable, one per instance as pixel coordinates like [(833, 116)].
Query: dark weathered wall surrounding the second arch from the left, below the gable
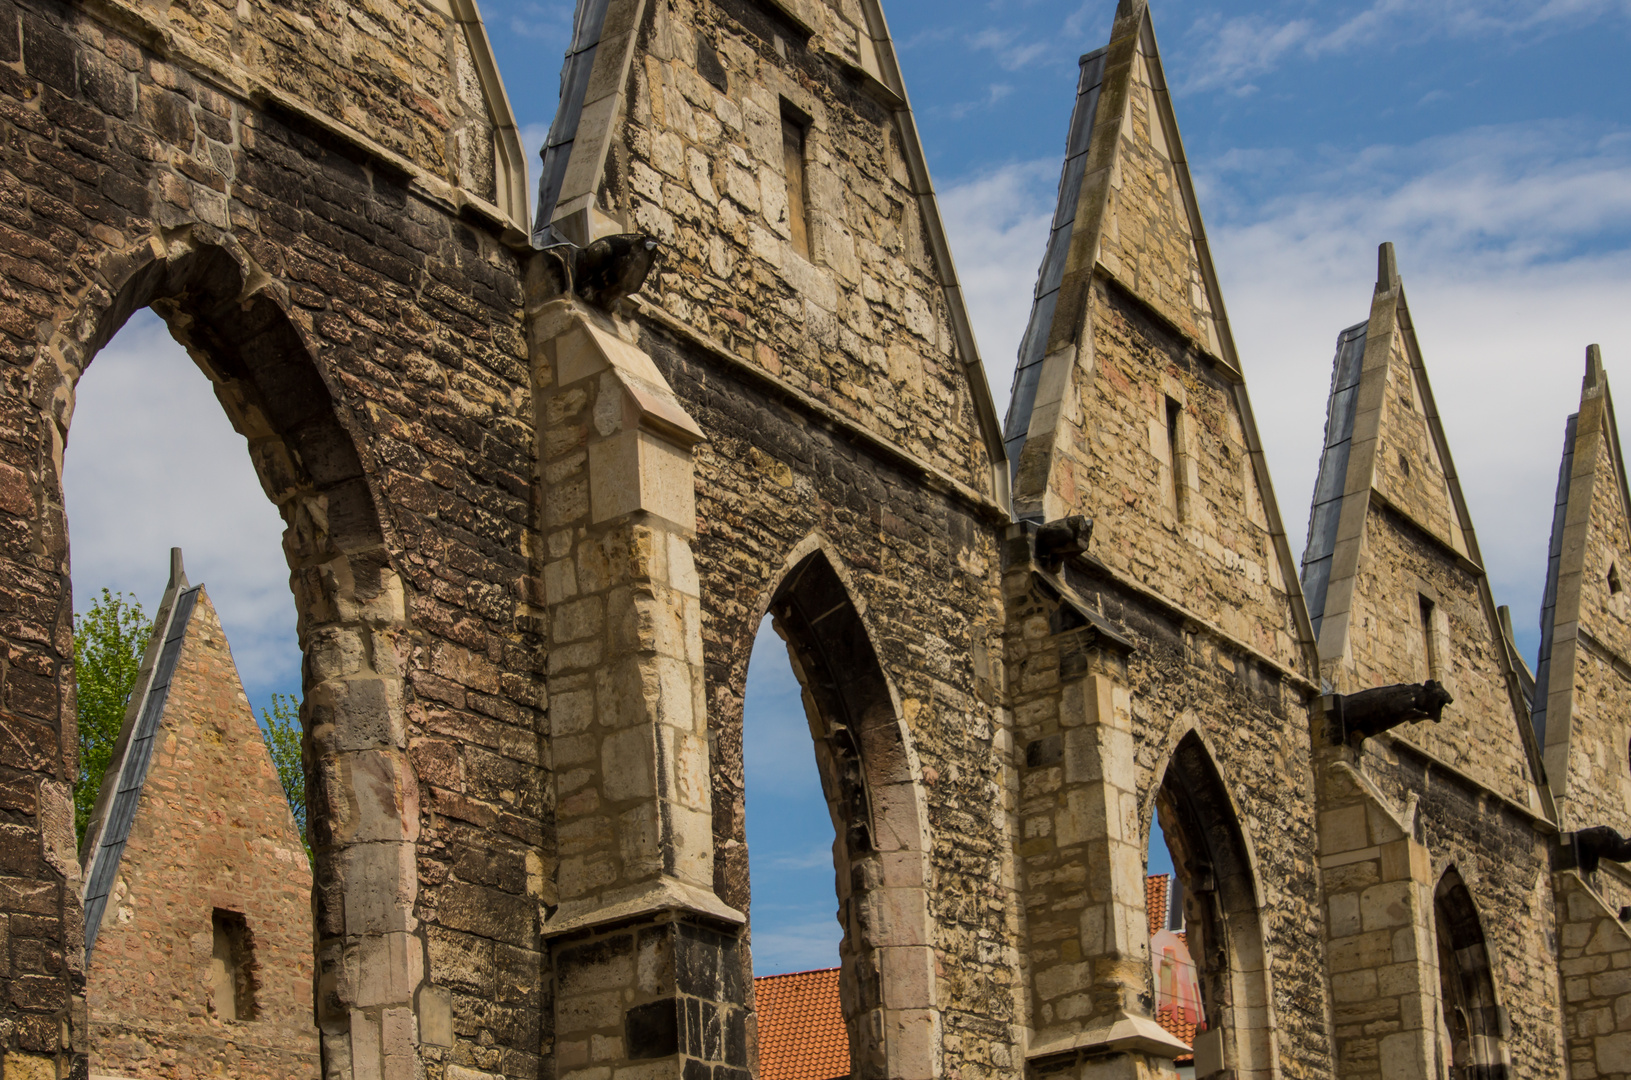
[(924, 564)]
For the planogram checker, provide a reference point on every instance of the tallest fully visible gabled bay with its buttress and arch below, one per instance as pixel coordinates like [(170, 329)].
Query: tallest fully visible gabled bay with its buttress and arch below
[(1160, 666)]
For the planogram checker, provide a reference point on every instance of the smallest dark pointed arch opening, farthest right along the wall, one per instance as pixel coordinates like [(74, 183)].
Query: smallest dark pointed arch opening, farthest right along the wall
[(1472, 1025)]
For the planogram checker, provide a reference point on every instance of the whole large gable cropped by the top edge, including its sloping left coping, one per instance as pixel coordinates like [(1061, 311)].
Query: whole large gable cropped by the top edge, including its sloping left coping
[(774, 151)]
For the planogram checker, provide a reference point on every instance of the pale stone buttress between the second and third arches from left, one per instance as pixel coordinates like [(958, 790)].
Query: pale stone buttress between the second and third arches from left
[(1082, 846)]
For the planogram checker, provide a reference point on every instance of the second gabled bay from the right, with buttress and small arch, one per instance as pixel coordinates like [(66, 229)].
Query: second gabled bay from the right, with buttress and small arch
[(1433, 836)]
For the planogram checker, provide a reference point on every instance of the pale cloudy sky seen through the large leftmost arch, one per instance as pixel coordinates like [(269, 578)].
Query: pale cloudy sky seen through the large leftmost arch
[(152, 464)]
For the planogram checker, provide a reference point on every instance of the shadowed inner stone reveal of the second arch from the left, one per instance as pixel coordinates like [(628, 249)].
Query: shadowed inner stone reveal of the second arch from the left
[(882, 854)]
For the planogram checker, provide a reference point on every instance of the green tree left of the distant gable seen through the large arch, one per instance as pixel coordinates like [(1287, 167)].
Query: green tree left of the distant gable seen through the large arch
[(108, 645)]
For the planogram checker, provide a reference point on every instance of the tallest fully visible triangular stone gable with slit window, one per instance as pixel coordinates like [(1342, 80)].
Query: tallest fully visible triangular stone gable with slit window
[(1128, 402)]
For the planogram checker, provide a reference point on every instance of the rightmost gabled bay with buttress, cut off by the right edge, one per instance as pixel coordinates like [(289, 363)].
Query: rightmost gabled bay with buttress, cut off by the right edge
[(1585, 725)]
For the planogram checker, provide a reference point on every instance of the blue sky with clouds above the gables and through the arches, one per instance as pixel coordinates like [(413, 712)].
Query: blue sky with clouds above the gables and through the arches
[(1488, 139)]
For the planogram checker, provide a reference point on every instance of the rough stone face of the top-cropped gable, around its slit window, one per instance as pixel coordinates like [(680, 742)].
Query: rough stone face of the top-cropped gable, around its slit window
[(862, 324)]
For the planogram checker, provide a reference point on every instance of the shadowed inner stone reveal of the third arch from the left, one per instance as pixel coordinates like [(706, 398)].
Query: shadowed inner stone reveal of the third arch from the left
[(1213, 865)]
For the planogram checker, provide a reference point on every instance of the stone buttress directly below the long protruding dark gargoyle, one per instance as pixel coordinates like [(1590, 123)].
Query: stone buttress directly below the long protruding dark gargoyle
[(1379, 932)]
